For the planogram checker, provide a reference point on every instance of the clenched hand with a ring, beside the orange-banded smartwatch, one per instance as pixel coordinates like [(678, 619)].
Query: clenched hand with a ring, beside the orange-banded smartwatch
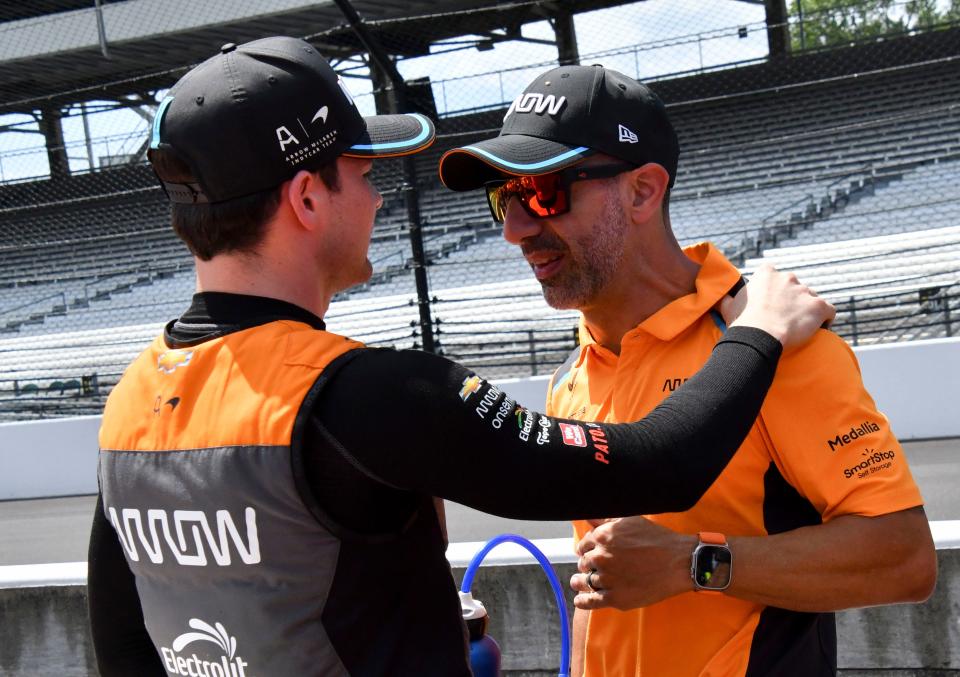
[(635, 563)]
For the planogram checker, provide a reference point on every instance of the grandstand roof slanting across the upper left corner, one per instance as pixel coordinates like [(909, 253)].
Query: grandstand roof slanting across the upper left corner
[(67, 65)]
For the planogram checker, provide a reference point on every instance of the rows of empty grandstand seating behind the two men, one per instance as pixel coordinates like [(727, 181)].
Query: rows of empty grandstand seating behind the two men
[(857, 188)]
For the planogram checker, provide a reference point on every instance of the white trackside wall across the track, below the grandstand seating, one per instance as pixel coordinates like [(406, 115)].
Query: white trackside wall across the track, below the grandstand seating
[(915, 384)]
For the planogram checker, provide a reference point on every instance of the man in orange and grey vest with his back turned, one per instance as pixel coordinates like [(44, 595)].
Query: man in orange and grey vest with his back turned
[(266, 486)]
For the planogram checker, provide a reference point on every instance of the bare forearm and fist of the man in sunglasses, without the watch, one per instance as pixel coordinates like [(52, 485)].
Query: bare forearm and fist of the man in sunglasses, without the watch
[(848, 562)]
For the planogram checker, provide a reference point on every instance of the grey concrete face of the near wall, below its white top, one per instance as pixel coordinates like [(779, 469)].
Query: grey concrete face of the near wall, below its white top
[(50, 635)]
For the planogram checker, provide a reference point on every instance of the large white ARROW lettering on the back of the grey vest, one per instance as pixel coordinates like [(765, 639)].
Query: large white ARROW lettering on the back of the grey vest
[(192, 522)]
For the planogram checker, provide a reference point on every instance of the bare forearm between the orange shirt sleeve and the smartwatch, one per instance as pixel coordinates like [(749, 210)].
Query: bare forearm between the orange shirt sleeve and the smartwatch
[(850, 561)]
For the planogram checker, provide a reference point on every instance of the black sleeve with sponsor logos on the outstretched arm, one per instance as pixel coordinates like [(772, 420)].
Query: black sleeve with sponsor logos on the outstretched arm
[(401, 417)]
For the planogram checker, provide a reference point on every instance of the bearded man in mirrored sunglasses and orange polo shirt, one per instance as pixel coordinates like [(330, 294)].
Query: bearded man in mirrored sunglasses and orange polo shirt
[(816, 512)]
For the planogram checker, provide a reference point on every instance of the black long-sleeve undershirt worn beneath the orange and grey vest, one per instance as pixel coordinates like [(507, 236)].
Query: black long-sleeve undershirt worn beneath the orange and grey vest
[(405, 424)]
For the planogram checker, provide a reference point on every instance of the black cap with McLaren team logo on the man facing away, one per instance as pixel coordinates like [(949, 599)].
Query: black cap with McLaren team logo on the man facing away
[(247, 119)]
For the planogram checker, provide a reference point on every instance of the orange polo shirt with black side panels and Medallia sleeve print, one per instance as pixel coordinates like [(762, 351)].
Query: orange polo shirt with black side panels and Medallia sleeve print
[(819, 449)]
